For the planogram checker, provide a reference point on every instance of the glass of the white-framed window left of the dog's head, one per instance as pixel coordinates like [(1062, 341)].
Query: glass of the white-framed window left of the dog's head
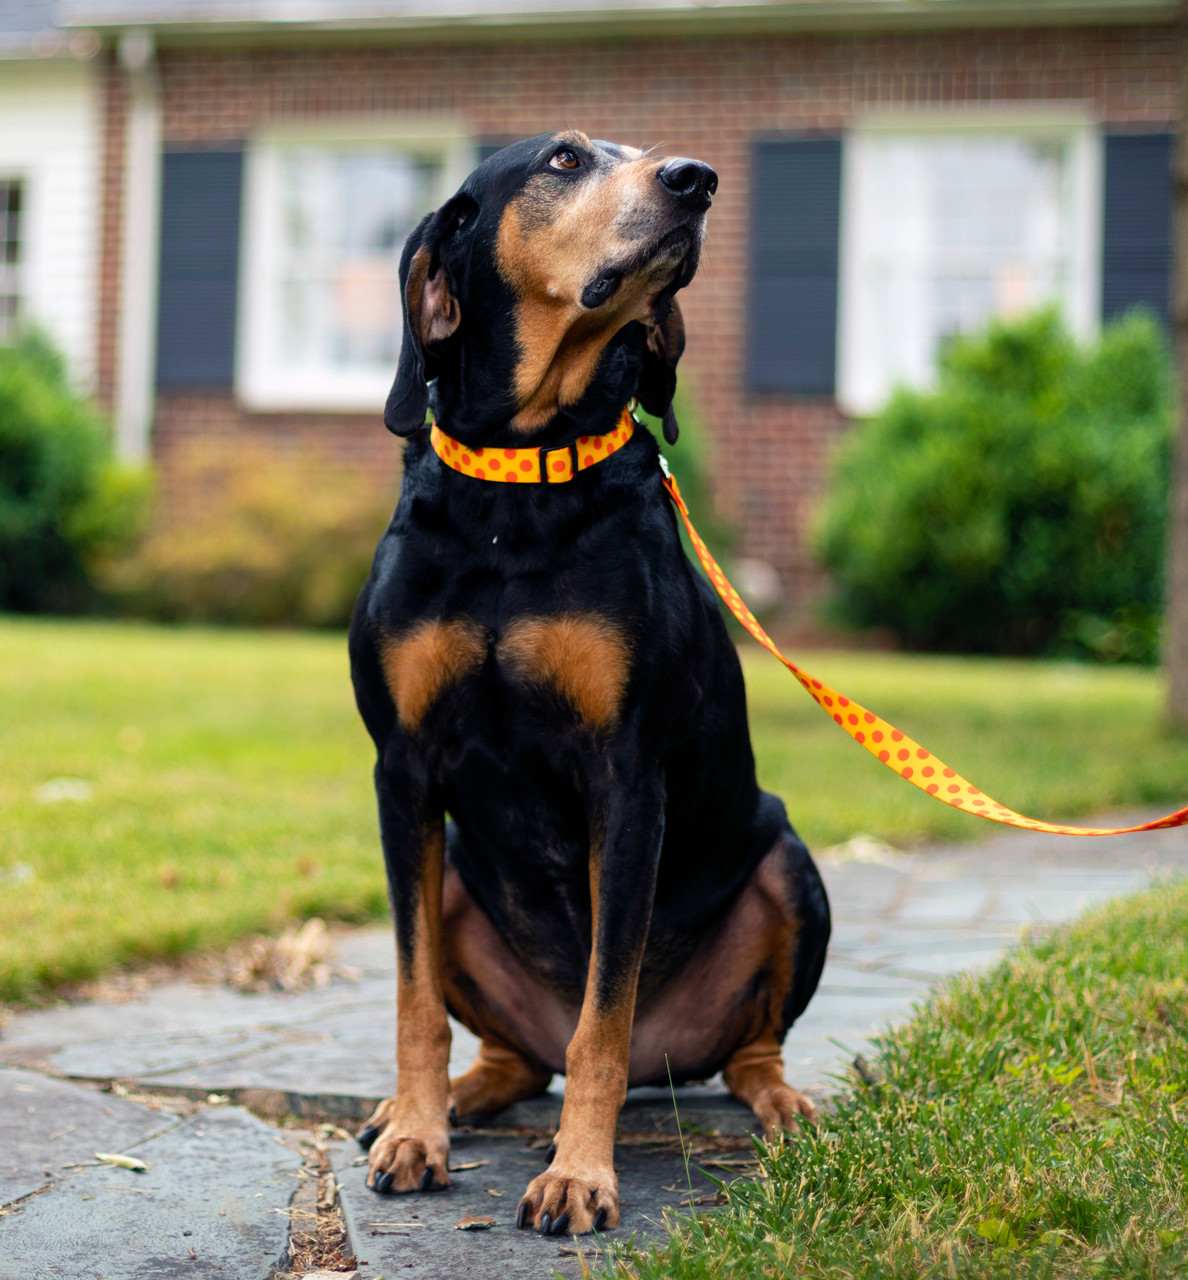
[(344, 221)]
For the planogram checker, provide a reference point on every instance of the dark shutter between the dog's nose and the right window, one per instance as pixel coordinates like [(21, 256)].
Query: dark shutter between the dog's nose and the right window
[(793, 299)]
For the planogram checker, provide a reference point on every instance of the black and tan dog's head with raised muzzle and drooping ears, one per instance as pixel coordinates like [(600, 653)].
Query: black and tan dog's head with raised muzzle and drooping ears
[(558, 258)]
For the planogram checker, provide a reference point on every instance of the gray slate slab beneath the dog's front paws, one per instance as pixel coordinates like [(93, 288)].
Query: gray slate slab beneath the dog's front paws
[(433, 1250)]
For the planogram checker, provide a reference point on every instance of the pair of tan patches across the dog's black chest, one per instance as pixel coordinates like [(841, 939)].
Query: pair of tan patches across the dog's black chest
[(579, 660)]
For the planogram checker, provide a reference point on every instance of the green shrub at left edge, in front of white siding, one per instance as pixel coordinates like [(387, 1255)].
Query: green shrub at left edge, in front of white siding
[(65, 502)]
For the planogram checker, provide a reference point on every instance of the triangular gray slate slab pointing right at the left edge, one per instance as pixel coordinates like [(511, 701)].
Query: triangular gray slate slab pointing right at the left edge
[(47, 1124)]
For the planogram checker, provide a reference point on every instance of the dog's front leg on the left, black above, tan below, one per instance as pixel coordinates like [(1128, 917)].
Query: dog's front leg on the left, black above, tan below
[(409, 1135)]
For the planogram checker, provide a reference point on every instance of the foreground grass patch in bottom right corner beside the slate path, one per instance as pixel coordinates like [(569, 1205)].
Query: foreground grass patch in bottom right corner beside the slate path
[(1029, 1123)]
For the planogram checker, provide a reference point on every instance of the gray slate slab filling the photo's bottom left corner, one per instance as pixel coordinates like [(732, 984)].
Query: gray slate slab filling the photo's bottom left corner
[(218, 1185)]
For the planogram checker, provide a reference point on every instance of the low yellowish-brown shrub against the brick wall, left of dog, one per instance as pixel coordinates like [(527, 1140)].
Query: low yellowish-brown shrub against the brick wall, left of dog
[(254, 538)]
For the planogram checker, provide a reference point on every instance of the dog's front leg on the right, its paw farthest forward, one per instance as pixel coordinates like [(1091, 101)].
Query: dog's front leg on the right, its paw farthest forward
[(579, 1191)]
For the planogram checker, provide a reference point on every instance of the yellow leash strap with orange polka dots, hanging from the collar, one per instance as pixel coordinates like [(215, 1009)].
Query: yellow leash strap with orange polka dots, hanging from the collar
[(895, 749)]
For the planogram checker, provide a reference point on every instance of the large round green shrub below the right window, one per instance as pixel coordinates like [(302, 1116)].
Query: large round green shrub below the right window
[(1021, 508)]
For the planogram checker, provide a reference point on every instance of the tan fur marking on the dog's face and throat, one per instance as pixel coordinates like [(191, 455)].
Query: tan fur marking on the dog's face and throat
[(554, 240)]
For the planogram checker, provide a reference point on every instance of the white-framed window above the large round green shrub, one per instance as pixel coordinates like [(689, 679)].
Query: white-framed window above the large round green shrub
[(945, 228)]
